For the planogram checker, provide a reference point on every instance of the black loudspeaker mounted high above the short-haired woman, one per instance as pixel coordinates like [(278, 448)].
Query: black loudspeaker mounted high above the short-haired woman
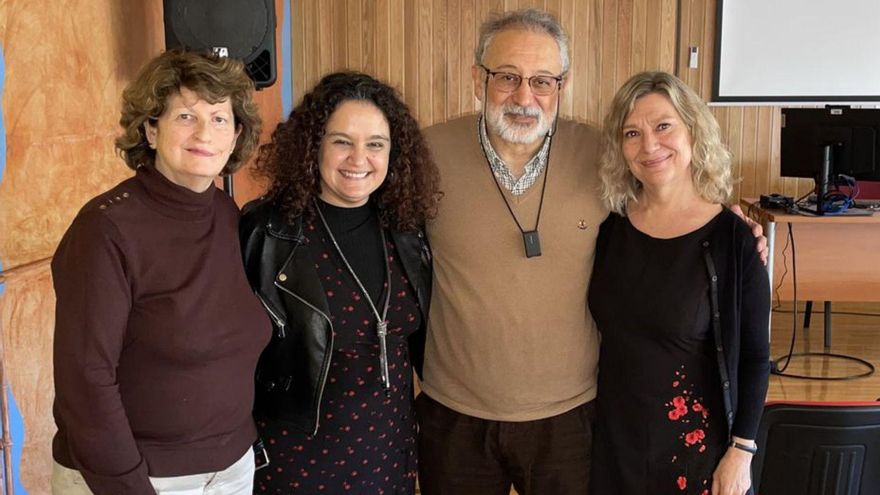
[(242, 29)]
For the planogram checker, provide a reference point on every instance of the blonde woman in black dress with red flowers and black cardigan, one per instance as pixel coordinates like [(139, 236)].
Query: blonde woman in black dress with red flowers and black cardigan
[(681, 298)]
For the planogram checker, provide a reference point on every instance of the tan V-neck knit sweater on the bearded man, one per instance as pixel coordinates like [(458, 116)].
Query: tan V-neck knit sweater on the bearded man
[(510, 338)]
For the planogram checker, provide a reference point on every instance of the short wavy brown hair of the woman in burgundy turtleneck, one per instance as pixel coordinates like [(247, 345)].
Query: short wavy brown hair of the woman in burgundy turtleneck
[(213, 78)]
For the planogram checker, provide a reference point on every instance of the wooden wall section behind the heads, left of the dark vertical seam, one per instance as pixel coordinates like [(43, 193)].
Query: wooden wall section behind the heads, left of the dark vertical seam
[(425, 48)]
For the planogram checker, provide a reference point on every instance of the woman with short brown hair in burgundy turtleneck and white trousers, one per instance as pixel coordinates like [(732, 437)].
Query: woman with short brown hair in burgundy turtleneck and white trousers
[(157, 332)]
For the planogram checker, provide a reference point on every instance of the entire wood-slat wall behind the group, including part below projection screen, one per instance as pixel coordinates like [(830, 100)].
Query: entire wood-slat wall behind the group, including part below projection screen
[(428, 53)]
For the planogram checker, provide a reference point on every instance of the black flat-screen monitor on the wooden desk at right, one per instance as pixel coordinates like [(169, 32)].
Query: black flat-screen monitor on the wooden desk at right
[(852, 133)]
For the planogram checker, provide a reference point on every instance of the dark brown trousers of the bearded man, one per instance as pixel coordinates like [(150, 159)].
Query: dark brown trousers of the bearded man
[(464, 455)]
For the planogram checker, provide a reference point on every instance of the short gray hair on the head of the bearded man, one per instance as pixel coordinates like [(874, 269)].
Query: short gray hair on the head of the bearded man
[(529, 19)]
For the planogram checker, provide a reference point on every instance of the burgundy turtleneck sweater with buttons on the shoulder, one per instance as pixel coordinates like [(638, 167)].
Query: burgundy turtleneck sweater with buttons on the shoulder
[(157, 335)]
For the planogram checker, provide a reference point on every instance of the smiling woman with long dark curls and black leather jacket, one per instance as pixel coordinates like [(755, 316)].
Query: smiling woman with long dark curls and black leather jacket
[(336, 253)]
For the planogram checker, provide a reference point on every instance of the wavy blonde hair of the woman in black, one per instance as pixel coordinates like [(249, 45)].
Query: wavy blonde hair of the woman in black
[(710, 162)]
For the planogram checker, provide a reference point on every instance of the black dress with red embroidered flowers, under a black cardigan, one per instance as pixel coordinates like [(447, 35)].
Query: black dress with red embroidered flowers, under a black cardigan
[(661, 425)]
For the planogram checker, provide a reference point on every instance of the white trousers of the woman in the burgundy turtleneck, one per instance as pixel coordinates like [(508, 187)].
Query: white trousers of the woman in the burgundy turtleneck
[(237, 479)]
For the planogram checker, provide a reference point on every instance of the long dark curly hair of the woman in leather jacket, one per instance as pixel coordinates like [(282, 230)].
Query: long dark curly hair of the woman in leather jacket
[(409, 195)]
